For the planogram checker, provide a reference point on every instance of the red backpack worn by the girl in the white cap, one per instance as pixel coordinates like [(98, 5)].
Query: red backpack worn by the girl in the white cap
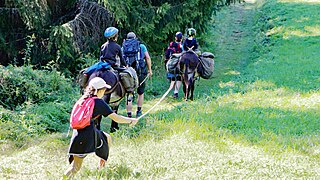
[(82, 113)]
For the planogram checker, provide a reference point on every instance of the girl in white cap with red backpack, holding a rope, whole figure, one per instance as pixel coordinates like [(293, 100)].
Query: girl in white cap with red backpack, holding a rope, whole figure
[(86, 138)]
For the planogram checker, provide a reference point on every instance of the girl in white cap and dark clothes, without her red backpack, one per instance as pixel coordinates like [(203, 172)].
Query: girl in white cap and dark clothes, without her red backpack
[(90, 139)]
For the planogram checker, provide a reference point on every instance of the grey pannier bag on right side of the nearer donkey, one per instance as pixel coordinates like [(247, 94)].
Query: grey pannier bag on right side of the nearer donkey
[(129, 79)]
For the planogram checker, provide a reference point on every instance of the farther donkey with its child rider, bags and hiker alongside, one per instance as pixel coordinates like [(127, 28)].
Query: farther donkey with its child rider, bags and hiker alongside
[(173, 62)]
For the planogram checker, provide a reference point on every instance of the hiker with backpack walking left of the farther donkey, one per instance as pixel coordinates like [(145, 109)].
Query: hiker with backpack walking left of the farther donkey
[(174, 77)]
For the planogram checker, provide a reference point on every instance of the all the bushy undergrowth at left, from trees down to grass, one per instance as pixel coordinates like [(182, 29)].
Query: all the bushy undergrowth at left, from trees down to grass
[(34, 103)]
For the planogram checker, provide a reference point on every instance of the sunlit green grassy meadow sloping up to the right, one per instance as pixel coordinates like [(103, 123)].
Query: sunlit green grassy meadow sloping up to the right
[(257, 118)]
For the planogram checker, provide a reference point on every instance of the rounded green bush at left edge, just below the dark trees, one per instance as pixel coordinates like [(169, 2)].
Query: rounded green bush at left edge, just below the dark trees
[(22, 85)]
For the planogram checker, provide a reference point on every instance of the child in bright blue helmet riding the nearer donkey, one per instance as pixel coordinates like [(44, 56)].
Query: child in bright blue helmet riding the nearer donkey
[(111, 50)]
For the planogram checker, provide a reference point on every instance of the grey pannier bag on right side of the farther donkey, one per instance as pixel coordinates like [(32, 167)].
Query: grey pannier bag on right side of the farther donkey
[(206, 66)]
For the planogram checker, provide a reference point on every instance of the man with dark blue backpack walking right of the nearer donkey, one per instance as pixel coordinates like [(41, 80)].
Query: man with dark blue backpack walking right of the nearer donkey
[(137, 56)]
